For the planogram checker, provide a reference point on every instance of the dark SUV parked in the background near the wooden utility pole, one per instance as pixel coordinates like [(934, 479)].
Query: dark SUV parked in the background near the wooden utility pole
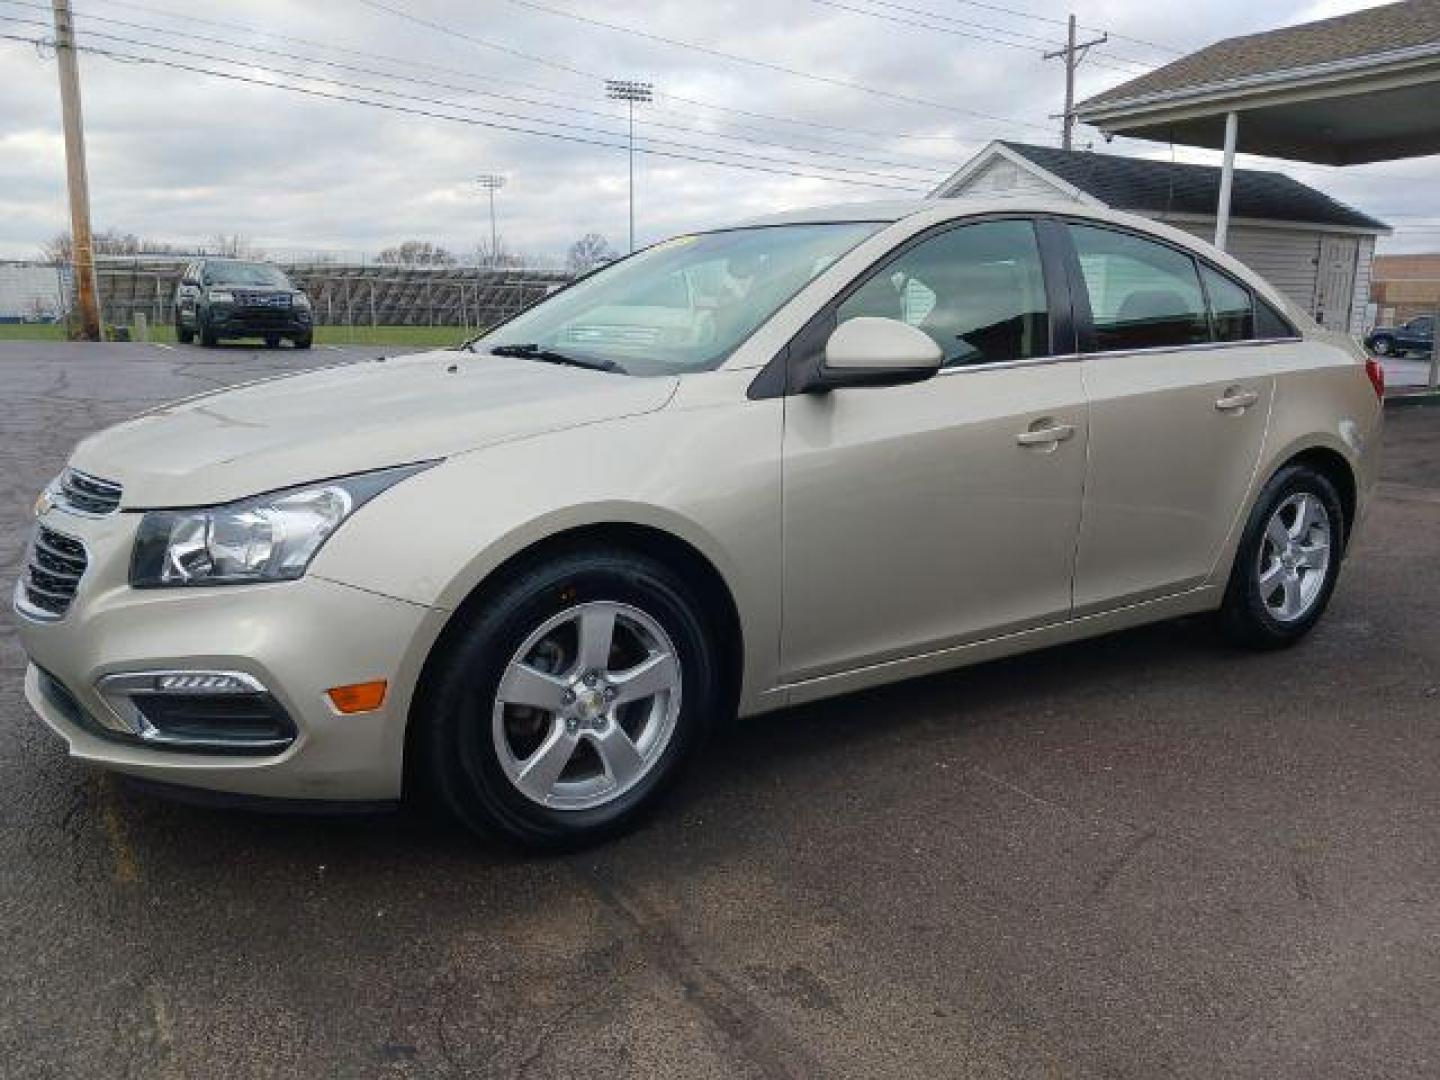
[(220, 299)]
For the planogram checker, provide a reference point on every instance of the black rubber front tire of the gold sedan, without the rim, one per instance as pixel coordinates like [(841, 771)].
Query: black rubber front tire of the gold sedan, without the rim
[(459, 761)]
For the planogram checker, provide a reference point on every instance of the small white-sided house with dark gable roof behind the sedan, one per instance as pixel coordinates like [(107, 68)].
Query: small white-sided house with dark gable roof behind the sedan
[(1313, 248)]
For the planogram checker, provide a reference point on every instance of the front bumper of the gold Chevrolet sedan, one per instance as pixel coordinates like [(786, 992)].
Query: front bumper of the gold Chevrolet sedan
[(294, 640)]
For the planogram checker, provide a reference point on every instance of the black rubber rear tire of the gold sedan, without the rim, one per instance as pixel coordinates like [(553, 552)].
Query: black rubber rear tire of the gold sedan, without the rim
[(1245, 616)]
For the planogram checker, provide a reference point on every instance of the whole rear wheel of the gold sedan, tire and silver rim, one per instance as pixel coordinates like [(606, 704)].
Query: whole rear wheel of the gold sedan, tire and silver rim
[(1288, 562)]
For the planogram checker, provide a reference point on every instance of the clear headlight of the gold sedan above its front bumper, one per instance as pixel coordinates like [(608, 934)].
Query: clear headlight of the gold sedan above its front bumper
[(266, 539)]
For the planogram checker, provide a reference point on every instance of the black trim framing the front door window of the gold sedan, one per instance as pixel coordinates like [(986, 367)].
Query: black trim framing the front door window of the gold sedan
[(793, 369)]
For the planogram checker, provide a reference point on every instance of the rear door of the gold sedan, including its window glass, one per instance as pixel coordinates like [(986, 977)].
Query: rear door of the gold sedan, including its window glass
[(1180, 398)]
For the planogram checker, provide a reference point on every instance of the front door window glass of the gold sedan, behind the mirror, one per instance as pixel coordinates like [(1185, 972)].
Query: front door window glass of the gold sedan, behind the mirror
[(978, 290)]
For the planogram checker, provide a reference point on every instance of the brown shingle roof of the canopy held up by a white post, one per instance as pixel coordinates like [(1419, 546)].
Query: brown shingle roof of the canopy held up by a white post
[(1373, 32)]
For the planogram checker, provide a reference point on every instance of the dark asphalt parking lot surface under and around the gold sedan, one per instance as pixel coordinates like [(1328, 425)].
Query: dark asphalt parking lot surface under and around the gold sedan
[(1146, 856)]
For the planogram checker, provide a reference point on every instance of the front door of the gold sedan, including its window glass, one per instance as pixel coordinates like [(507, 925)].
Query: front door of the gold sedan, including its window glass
[(918, 518)]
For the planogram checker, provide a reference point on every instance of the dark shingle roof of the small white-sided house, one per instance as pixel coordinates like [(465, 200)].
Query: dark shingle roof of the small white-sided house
[(1135, 184)]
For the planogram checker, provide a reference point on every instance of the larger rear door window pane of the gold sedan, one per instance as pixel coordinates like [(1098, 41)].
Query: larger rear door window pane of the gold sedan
[(1143, 294)]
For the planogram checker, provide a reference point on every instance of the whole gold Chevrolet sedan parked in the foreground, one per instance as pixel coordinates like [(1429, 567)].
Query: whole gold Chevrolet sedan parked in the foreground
[(737, 472)]
